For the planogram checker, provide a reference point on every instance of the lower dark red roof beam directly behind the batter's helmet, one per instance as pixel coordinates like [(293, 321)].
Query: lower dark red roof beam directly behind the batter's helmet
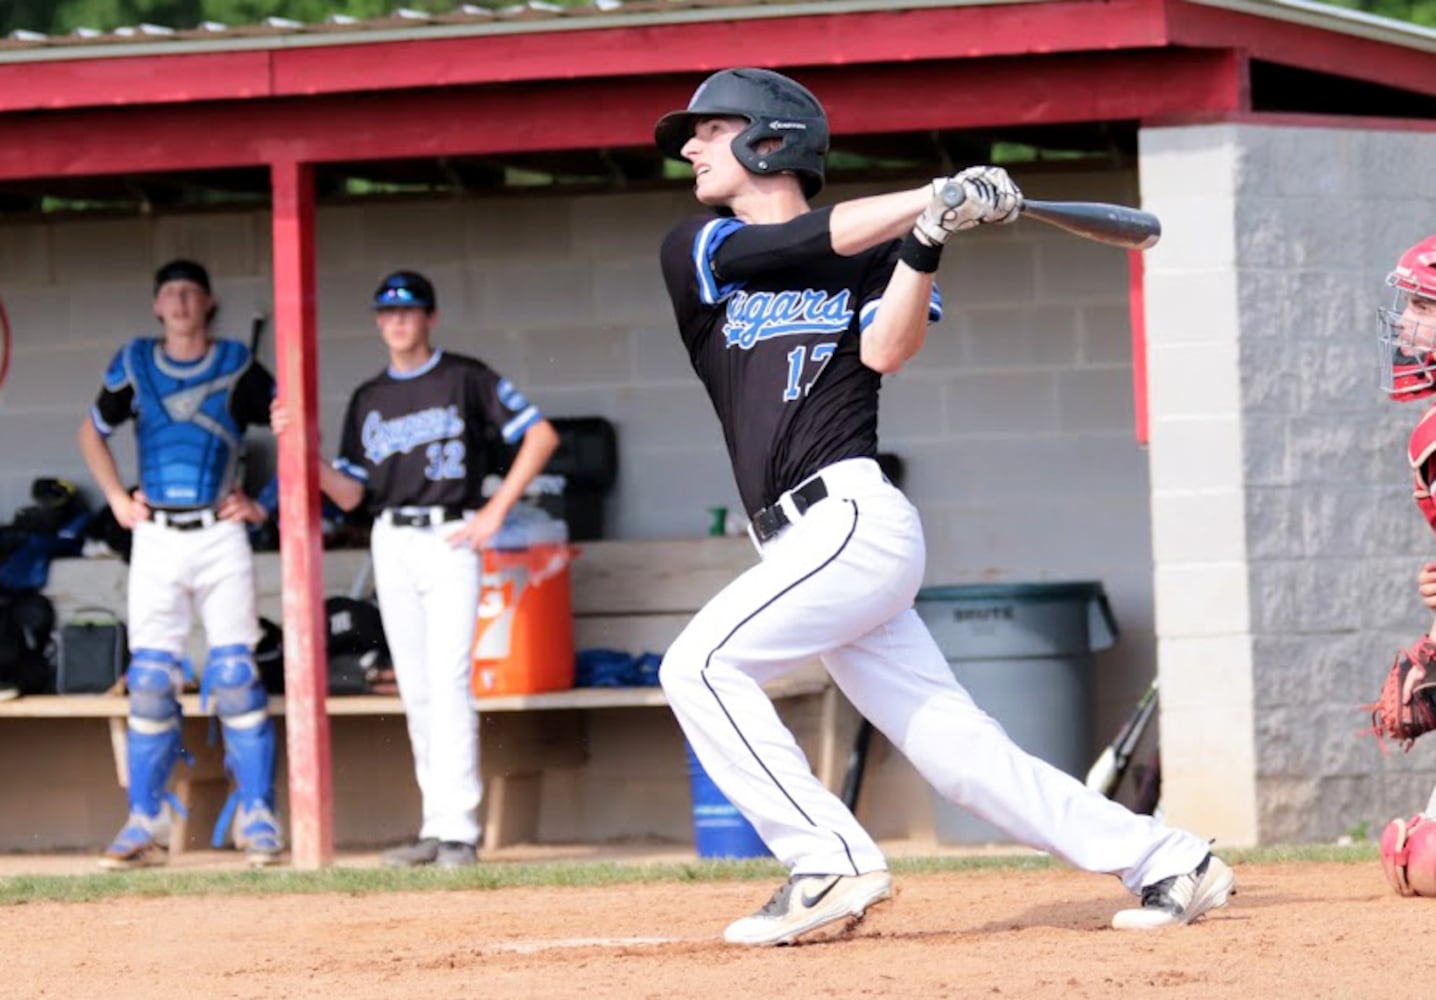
[(529, 117)]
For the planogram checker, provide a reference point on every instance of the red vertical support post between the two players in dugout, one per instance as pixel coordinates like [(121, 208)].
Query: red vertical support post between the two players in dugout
[(307, 721)]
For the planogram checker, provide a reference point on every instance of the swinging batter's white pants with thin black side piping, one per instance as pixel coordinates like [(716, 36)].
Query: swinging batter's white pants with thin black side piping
[(839, 584)]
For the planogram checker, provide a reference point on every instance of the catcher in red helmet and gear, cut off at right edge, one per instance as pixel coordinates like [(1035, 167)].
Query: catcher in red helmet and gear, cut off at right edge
[(1407, 708)]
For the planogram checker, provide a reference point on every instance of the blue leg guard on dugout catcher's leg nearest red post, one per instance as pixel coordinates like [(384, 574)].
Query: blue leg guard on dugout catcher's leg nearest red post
[(242, 703)]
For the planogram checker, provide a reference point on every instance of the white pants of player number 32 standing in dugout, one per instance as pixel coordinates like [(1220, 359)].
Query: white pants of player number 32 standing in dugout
[(429, 600)]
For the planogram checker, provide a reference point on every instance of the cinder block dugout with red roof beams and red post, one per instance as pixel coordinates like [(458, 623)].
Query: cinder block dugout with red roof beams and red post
[(510, 156)]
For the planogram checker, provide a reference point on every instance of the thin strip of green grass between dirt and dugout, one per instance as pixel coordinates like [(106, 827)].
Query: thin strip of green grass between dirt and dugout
[(160, 883)]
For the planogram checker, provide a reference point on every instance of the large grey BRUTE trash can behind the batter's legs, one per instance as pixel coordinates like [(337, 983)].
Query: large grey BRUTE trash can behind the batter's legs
[(1025, 653)]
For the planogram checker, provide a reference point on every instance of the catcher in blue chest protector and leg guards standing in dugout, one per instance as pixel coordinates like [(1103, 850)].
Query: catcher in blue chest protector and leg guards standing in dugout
[(192, 397)]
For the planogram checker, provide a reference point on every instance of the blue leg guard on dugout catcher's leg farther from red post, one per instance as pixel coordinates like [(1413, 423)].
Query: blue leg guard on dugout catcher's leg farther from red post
[(153, 744)]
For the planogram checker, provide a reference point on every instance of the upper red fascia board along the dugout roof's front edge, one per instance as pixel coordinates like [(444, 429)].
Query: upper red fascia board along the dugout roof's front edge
[(691, 48)]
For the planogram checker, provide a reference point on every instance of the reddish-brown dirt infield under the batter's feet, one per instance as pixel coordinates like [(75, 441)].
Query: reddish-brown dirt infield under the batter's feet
[(1295, 930)]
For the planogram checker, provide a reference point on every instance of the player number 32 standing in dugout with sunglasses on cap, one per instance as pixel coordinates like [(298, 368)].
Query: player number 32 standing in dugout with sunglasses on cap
[(413, 453)]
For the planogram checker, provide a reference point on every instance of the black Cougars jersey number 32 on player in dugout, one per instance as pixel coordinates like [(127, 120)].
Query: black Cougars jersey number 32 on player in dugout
[(417, 439)]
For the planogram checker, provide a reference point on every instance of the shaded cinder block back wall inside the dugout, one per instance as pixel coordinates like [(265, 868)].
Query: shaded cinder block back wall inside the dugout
[(1016, 422)]
